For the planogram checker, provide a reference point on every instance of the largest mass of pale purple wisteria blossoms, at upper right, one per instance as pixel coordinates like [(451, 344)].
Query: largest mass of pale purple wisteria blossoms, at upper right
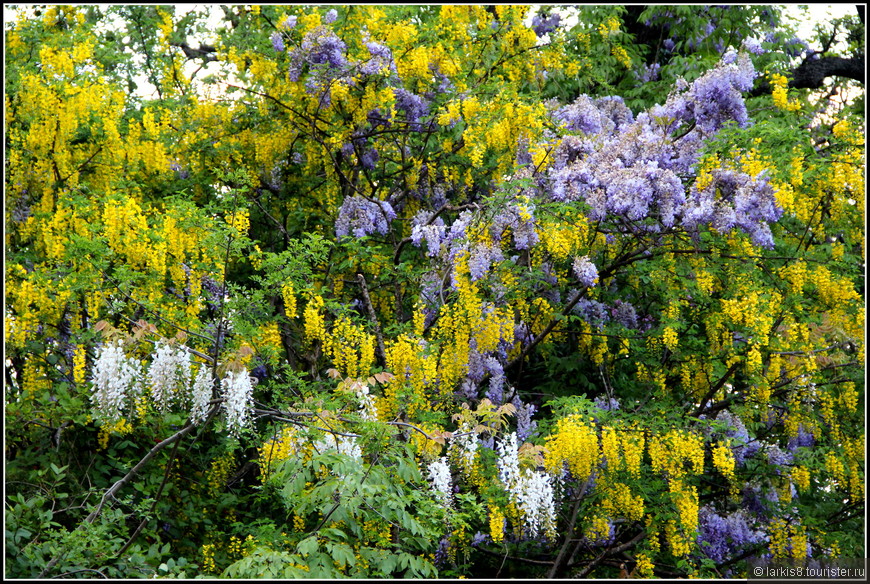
[(629, 170)]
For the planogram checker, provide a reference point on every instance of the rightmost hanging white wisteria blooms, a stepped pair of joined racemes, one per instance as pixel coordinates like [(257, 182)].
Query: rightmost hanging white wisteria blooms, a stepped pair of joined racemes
[(531, 491)]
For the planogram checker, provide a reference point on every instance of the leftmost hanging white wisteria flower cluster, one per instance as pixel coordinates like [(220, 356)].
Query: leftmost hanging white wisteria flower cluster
[(116, 377)]
